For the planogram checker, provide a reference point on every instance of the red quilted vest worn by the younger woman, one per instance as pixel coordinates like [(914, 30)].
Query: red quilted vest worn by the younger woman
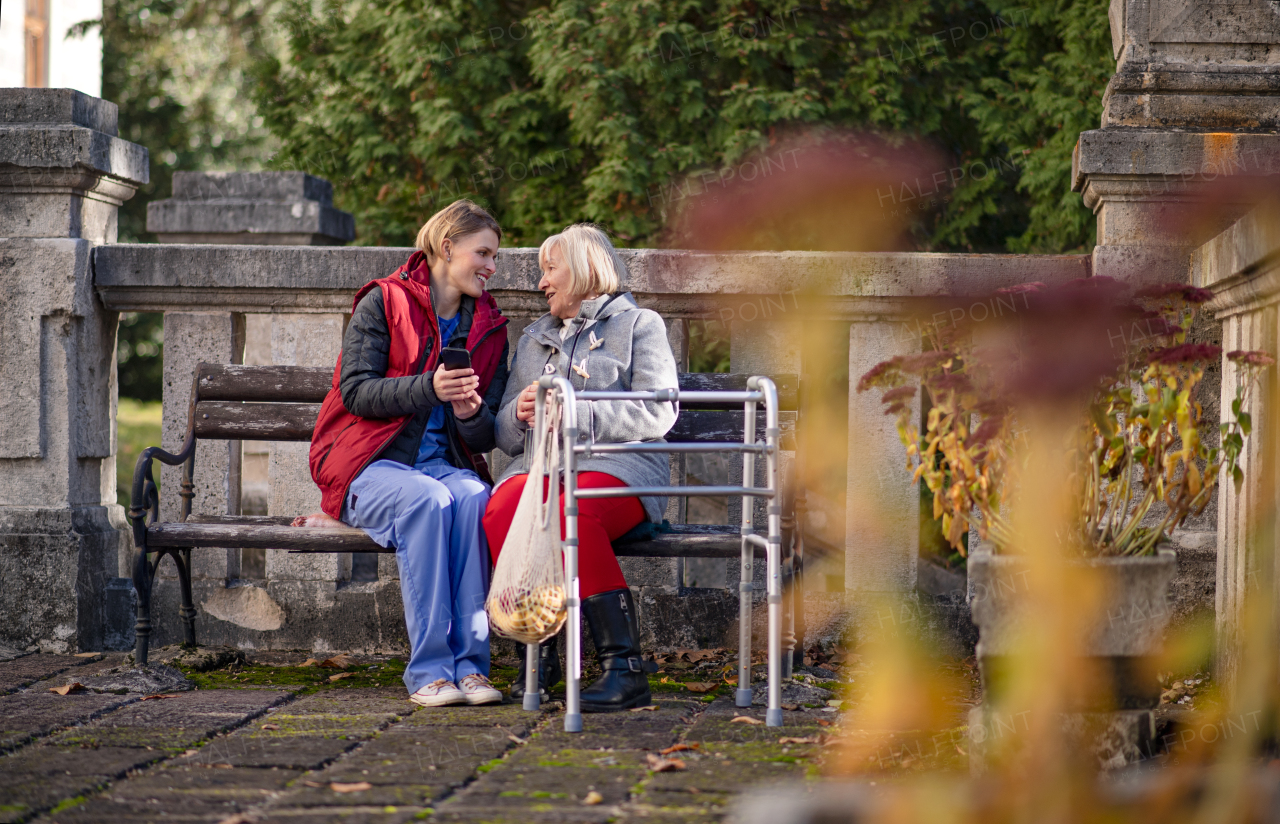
[(344, 445)]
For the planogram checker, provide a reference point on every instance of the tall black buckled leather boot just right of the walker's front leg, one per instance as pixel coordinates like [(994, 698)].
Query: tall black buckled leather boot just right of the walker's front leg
[(616, 631)]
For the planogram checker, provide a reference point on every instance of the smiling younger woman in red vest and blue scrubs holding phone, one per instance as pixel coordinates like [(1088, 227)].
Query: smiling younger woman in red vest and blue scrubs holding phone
[(397, 447)]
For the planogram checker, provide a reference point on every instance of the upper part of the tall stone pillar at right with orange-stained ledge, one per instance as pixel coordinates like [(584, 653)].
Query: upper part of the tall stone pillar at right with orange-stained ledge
[(1192, 100)]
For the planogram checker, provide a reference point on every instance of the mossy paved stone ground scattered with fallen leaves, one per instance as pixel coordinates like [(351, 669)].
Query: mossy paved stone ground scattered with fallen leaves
[(285, 744)]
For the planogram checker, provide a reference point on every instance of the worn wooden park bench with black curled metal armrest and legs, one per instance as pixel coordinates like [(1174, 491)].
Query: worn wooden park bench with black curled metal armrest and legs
[(282, 404)]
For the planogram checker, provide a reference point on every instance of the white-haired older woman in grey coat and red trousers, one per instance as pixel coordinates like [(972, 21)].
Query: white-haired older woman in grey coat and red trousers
[(600, 340)]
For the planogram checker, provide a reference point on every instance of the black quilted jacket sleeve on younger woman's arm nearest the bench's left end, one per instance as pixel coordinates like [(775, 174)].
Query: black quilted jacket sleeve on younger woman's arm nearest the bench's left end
[(365, 353)]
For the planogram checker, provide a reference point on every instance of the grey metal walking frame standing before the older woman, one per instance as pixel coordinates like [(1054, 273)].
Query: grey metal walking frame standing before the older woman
[(760, 390)]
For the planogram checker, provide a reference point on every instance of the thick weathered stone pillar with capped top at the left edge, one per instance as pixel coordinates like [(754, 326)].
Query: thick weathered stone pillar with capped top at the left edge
[(63, 176)]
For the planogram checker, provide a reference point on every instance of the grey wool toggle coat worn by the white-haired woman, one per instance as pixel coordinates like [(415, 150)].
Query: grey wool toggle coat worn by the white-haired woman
[(620, 347)]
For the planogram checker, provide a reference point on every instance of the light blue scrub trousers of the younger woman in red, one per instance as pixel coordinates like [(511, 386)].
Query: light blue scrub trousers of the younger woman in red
[(431, 514)]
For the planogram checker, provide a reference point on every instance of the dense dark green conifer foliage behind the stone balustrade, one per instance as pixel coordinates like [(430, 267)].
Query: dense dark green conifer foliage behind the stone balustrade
[(616, 112)]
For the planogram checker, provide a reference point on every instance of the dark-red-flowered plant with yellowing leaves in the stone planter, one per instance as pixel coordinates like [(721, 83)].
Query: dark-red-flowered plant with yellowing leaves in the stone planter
[(1140, 465)]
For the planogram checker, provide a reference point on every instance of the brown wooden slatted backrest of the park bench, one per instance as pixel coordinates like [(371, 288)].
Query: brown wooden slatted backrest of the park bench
[(282, 404)]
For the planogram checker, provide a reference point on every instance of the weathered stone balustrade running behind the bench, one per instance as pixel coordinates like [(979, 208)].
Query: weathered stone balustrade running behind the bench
[(764, 299)]
